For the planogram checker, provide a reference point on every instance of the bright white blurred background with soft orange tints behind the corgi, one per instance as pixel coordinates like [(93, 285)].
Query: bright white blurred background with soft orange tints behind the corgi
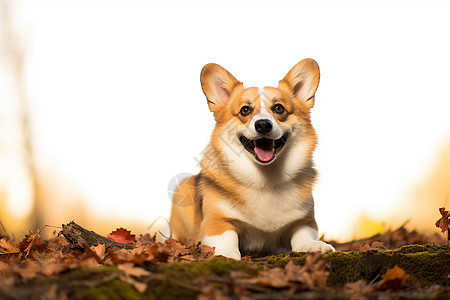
[(101, 105)]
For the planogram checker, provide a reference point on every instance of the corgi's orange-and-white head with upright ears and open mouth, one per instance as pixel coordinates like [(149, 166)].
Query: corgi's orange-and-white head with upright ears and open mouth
[(257, 127)]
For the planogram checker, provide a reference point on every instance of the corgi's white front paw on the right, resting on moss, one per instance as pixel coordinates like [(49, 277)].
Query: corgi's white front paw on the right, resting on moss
[(305, 239)]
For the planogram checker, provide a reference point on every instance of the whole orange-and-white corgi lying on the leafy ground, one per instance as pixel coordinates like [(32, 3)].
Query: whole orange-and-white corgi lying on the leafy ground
[(253, 195)]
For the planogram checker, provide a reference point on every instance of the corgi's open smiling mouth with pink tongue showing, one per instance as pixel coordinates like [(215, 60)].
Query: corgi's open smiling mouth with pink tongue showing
[(264, 149)]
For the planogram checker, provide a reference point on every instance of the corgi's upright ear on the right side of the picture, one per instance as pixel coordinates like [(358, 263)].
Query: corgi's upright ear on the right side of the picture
[(303, 80)]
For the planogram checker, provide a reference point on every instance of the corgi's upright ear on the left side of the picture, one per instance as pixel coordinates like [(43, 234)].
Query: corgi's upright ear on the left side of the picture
[(217, 84)]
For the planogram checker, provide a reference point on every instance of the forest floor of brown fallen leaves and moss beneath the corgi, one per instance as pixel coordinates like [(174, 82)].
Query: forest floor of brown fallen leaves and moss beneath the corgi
[(79, 264)]
